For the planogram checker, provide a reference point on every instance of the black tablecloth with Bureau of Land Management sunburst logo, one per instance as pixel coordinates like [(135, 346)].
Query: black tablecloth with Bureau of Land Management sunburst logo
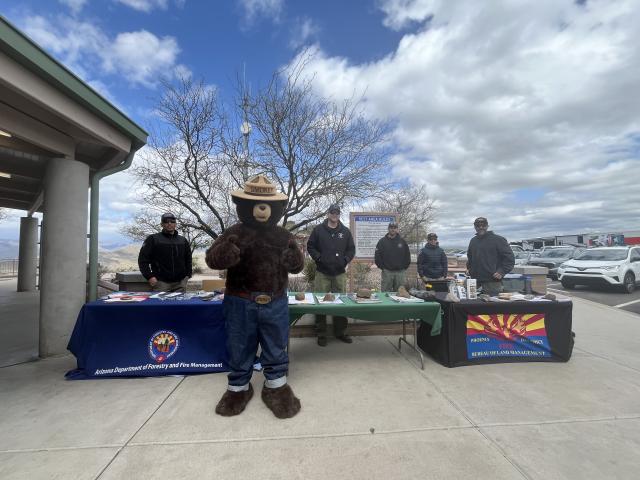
[(476, 332)]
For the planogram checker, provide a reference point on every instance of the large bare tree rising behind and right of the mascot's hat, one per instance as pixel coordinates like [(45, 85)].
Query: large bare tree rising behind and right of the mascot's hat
[(319, 151)]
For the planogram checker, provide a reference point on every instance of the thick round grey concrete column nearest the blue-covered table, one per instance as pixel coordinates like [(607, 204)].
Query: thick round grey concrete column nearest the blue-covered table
[(64, 252)]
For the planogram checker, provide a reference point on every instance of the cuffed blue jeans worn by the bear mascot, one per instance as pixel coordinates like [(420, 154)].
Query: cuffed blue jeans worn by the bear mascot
[(249, 324)]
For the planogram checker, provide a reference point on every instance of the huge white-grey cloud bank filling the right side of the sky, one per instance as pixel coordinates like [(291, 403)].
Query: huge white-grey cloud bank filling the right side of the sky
[(492, 99)]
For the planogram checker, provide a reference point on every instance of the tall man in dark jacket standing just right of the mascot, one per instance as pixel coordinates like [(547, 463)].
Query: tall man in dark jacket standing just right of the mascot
[(331, 247)]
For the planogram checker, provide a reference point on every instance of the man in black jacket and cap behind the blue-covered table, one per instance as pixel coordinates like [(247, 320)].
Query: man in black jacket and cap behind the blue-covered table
[(165, 258)]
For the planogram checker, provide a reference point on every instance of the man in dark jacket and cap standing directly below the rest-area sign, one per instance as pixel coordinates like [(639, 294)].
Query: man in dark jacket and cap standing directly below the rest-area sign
[(393, 258)]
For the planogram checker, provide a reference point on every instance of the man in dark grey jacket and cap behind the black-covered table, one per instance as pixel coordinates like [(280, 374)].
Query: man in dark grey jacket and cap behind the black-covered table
[(489, 258)]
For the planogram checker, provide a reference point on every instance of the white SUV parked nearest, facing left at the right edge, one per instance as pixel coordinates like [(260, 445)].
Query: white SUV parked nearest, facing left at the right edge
[(603, 266)]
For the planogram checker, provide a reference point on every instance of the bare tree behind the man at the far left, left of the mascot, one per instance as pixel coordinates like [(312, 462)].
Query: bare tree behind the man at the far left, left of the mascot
[(185, 167)]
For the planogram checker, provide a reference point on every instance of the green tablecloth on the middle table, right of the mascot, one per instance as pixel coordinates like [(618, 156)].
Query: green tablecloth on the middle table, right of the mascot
[(385, 311)]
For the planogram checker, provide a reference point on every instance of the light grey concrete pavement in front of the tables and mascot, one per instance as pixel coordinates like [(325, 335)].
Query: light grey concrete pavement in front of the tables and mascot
[(368, 412)]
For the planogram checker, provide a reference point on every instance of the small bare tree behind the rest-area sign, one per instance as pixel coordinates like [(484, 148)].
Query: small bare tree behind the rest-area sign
[(415, 209)]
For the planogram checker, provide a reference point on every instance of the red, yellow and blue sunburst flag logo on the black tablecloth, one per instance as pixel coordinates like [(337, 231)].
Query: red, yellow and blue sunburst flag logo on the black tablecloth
[(507, 335)]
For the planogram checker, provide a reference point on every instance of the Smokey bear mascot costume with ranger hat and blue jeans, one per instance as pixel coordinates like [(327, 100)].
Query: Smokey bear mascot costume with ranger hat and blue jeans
[(258, 256)]
